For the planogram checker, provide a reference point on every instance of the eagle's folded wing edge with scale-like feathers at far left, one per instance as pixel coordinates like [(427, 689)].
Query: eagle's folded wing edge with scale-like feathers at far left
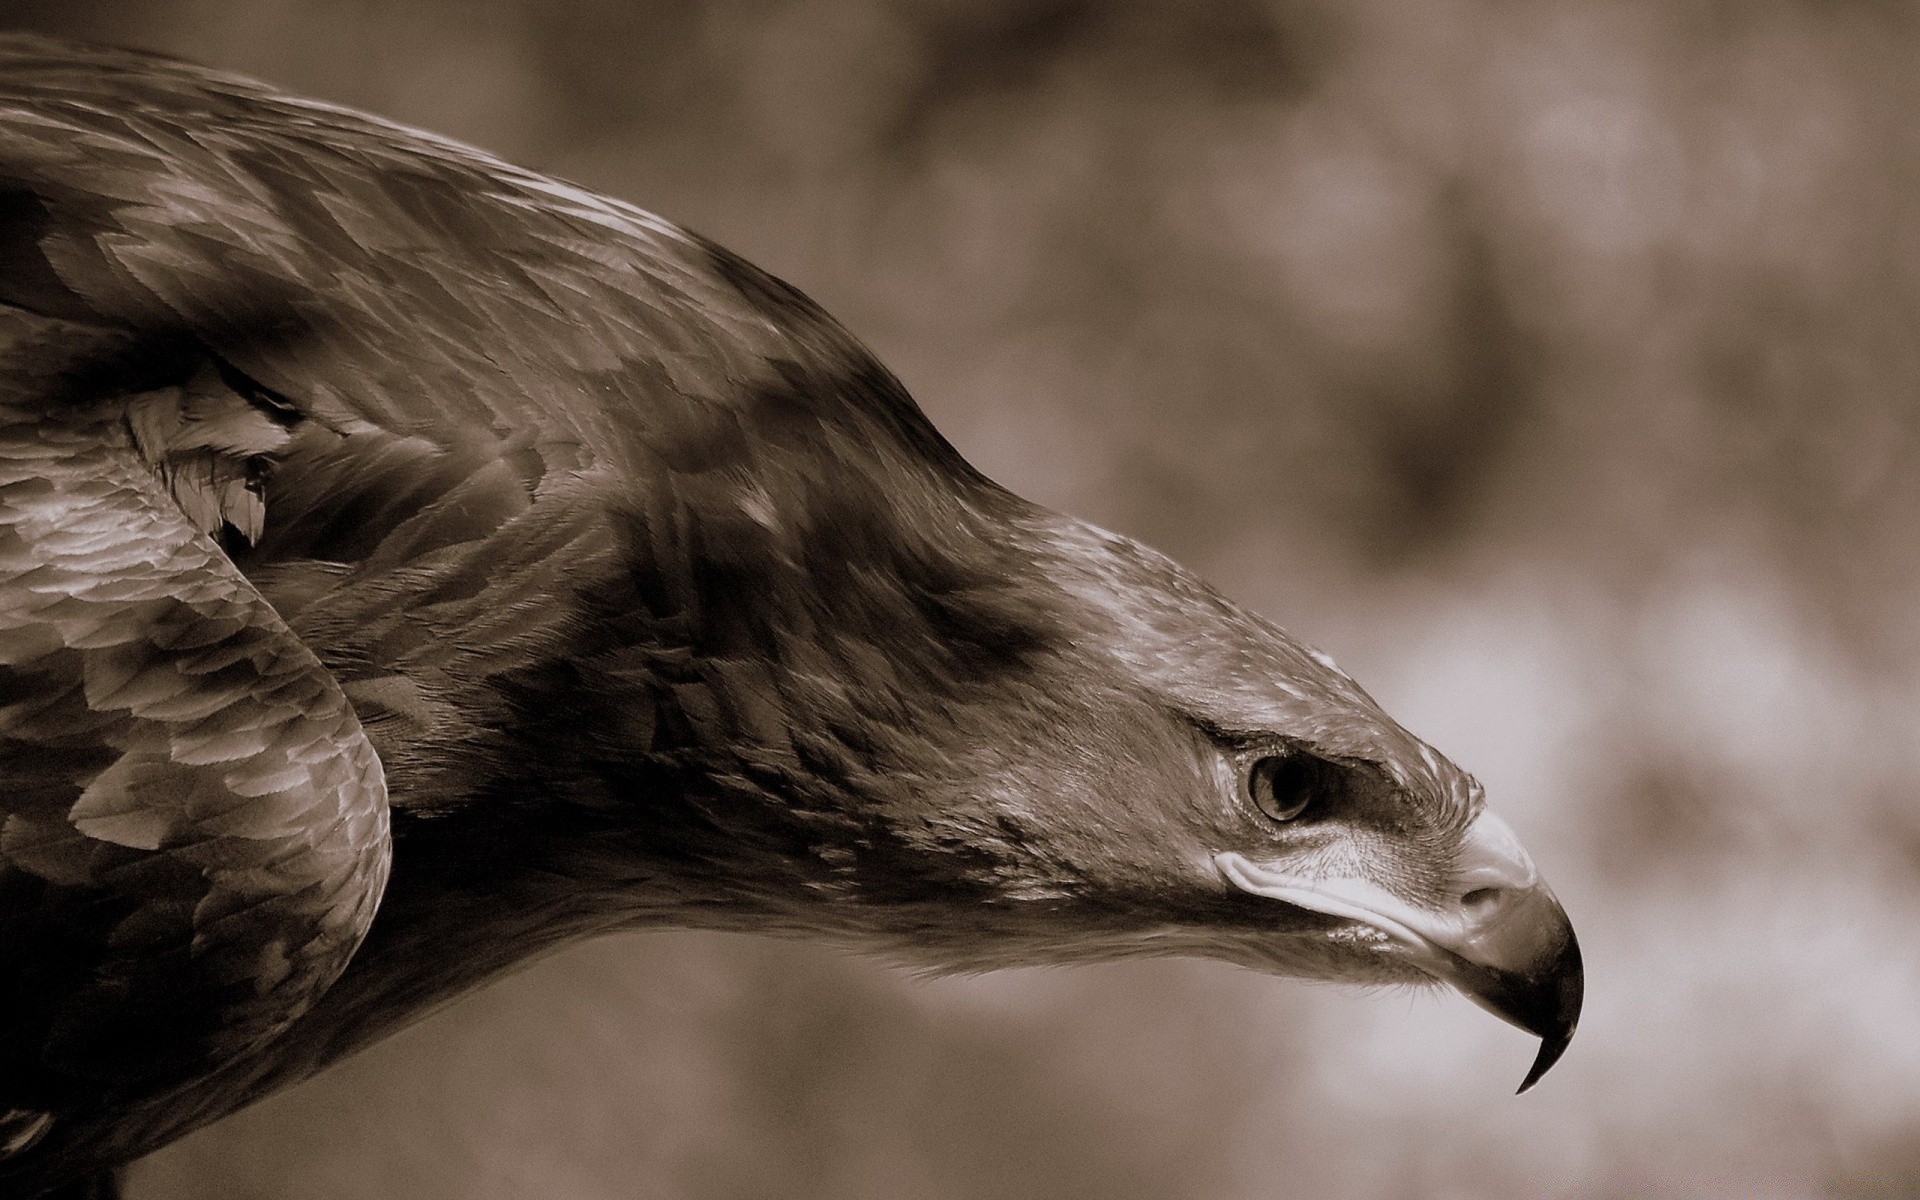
[(193, 825)]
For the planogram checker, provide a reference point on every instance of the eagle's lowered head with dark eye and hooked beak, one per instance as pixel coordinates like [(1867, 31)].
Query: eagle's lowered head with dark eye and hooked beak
[(1295, 827)]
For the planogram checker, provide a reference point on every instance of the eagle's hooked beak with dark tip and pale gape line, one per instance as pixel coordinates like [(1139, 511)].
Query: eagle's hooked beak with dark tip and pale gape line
[(1504, 944)]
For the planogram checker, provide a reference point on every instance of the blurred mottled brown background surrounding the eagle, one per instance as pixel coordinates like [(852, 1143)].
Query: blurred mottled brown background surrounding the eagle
[(1556, 366)]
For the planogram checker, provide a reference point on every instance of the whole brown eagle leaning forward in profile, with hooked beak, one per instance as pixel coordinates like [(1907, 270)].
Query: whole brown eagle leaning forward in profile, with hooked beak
[(412, 564)]
